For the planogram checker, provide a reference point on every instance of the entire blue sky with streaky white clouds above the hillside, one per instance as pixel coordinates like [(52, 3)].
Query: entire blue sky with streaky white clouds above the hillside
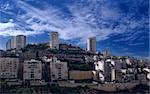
[(121, 26)]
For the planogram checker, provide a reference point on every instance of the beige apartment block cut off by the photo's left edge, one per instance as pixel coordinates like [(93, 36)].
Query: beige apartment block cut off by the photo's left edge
[(9, 67)]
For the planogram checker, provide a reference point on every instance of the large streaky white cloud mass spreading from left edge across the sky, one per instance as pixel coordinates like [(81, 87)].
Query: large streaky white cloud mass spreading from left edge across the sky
[(82, 23)]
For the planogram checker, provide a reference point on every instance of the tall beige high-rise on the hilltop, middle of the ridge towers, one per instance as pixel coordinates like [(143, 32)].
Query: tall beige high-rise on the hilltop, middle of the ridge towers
[(54, 40)]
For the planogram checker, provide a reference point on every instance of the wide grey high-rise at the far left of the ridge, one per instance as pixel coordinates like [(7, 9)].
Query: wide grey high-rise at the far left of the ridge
[(17, 42)]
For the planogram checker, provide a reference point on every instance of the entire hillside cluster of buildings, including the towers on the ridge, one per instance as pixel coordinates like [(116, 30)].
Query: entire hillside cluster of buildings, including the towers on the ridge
[(41, 66)]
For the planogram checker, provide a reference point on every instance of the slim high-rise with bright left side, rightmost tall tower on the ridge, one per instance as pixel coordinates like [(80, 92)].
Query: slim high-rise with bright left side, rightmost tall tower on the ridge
[(91, 44)]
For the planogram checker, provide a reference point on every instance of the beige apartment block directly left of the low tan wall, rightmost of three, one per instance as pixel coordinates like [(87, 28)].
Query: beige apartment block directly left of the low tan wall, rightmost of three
[(58, 70)]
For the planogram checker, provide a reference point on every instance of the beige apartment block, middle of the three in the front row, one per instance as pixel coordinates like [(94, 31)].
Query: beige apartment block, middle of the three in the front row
[(32, 70)]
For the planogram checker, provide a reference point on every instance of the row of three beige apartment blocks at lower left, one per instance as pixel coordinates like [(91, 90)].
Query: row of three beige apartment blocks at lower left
[(32, 72)]
